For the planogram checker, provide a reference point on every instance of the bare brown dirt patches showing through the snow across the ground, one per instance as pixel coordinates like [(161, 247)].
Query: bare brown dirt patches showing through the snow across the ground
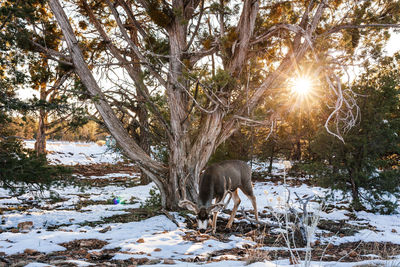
[(91, 250)]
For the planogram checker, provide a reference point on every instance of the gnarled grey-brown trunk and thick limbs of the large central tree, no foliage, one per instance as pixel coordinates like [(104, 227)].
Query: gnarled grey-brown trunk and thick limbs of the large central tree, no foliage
[(189, 149)]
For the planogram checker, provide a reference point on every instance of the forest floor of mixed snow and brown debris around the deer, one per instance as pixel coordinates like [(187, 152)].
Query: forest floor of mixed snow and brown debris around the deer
[(109, 222)]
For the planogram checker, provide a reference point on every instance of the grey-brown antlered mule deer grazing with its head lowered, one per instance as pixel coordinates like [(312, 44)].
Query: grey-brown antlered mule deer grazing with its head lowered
[(217, 181)]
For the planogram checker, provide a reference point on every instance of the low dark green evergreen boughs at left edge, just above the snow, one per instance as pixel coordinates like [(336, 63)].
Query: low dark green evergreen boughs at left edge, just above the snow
[(22, 169)]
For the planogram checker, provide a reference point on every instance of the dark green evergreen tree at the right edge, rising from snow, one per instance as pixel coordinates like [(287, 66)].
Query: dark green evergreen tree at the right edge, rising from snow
[(363, 164)]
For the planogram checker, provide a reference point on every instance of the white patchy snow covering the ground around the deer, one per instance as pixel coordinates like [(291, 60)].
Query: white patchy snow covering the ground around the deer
[(32, 225)]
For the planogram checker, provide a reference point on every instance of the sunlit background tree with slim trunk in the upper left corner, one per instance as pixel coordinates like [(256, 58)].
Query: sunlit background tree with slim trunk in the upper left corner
[(31, 42)]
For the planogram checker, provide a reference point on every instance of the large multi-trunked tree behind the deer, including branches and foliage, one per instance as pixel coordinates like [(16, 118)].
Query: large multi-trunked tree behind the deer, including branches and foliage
[(212, 63)]
